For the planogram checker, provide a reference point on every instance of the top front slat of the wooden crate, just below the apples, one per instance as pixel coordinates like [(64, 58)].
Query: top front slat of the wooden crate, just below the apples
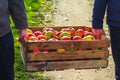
[(67, 44)]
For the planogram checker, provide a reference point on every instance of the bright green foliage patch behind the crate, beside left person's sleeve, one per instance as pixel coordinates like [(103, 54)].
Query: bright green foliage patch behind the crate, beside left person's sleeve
[(40, 12)]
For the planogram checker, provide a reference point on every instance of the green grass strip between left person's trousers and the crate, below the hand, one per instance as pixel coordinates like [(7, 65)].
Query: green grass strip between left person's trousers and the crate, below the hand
[(20, 72)]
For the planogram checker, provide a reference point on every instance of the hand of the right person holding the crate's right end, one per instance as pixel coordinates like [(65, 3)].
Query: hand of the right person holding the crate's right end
[(99, 34)]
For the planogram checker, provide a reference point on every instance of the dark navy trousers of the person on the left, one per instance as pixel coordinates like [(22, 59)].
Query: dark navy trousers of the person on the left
[(7, 57)]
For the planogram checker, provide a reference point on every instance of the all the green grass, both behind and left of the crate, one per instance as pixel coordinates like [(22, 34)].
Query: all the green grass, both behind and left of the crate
[(36, 12)]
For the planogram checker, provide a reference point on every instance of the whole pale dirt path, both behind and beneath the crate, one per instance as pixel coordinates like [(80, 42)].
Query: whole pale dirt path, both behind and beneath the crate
[(78, 12)]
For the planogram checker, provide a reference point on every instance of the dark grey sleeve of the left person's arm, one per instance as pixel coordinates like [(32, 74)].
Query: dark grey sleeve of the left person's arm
[(18, 13)]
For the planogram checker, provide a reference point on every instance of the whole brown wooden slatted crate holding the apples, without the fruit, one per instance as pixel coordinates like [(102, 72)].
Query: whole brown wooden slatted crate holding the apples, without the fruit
[(93, 54)]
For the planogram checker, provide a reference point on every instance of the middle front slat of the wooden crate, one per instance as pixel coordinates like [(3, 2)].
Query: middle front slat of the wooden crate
[(68, 55)]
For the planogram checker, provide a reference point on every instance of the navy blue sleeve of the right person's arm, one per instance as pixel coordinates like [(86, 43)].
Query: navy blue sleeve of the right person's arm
[(98, 13)]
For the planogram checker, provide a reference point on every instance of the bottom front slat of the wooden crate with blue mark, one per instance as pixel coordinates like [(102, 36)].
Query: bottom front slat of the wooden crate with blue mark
[(62, 65)]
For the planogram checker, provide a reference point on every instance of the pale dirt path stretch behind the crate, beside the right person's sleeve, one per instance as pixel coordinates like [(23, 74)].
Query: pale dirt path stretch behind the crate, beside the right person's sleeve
[(73, 12)]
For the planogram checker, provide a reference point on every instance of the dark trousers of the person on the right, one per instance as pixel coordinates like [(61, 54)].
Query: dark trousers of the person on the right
[(115, 45)]
